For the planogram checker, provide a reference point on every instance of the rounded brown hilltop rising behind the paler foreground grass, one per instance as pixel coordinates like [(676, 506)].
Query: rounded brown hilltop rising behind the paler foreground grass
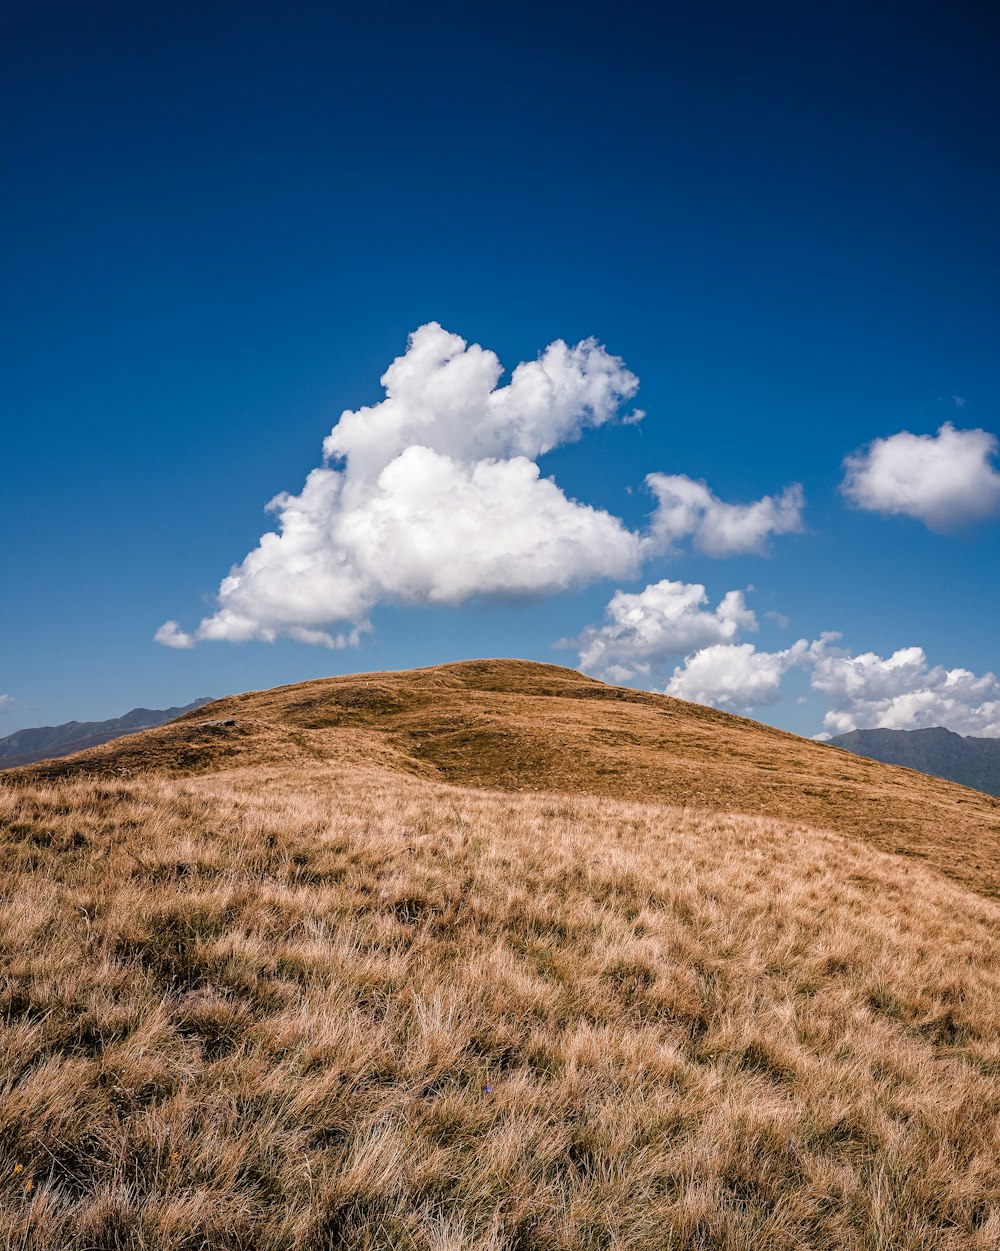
[(519, 726)]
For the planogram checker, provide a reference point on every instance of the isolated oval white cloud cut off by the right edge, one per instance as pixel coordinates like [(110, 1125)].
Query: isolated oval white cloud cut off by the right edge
[(946, 481)]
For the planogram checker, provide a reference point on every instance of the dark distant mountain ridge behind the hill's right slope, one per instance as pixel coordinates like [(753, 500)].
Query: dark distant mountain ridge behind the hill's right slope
[(973, 762)]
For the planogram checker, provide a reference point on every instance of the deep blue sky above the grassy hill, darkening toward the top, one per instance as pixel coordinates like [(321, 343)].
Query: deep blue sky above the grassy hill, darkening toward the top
[(223, 222)]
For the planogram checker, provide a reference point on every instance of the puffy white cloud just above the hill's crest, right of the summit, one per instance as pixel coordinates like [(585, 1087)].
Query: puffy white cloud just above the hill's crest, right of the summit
[(666, 620)]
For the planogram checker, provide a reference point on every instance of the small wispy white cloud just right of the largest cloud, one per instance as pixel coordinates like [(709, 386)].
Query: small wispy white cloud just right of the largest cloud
[(689, 510)]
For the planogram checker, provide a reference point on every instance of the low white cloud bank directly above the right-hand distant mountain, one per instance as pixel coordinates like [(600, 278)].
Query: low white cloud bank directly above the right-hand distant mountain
[(903, 692)]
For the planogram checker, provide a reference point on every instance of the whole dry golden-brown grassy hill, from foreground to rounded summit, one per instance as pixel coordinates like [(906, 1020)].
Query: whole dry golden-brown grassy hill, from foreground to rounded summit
[(492, 956)]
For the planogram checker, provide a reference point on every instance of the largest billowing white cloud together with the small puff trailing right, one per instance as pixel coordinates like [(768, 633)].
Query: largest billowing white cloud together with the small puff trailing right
[(435, 496)]
